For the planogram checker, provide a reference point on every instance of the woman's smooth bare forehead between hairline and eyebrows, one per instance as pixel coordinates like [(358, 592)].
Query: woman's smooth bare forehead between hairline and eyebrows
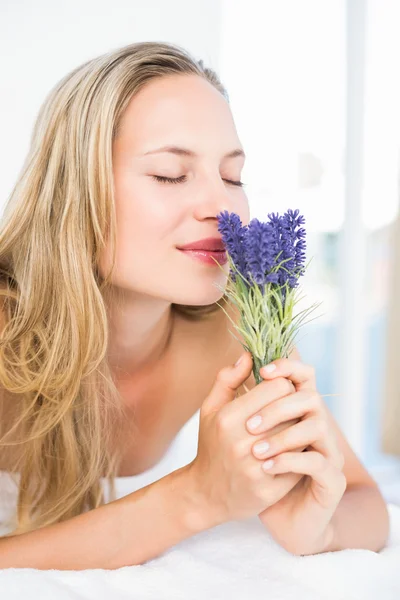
[(180, 109)]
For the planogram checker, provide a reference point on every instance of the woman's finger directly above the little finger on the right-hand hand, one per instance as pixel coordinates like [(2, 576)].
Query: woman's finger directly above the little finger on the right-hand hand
[(303, 434)]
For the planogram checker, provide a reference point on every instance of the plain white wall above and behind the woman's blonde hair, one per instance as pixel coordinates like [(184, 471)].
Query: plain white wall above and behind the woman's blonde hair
[(42, 40)]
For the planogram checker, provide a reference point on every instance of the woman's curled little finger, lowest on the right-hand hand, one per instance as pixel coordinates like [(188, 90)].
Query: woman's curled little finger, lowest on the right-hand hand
[(310, 463)]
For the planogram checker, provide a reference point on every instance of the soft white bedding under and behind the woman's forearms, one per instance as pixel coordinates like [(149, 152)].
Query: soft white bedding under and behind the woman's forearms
[(236, 560)]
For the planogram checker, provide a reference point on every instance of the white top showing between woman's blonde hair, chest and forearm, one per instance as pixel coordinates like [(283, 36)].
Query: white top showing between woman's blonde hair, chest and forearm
[(181, 451)]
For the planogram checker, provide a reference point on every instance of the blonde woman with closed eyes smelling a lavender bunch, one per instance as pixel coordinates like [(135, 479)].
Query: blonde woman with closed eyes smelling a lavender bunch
[(112, 338)]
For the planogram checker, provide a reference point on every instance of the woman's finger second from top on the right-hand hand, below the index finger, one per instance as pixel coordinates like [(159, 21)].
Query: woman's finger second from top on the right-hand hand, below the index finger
[(284, 409)]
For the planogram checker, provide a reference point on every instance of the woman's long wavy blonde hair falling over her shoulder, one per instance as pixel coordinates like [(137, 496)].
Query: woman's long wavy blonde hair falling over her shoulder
[(54, 375)]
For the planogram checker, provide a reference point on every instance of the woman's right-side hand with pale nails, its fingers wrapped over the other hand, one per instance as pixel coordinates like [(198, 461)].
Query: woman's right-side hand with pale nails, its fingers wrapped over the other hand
[(300, 521)]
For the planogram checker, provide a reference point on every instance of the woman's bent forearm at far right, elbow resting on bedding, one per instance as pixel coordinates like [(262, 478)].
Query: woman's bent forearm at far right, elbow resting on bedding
[(361, 520)]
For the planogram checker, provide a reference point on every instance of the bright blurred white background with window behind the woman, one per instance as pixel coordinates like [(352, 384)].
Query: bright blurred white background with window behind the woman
[(315, 93)]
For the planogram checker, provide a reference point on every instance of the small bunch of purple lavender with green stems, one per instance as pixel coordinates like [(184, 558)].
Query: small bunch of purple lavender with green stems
[(266, 261)]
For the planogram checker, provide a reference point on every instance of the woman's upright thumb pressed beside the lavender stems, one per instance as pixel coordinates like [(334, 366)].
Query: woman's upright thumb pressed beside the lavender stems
[(227, 382)]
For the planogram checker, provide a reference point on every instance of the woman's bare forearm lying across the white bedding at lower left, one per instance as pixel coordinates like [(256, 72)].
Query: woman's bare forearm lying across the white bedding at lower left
[(128, 531)]
